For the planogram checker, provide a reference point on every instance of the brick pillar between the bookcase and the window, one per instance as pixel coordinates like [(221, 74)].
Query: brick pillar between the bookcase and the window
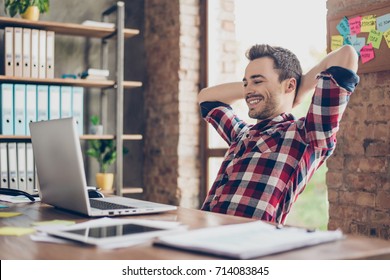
[(172, 50)]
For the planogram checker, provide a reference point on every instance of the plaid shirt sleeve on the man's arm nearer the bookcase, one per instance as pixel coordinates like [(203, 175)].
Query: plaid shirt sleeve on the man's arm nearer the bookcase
[(222, 117)]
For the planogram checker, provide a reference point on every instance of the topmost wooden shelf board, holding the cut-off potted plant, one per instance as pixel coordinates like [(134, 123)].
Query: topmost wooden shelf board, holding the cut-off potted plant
[(72, 29)]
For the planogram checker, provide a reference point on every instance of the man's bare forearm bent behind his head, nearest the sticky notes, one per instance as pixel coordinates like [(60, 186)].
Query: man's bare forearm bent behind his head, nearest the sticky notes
[(345, 57)]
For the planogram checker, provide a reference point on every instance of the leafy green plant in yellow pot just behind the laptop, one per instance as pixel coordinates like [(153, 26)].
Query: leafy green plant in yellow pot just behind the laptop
[(104, 151)]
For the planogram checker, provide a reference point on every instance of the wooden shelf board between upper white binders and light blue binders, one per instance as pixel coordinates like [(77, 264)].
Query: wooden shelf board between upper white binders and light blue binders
[(69, 82)]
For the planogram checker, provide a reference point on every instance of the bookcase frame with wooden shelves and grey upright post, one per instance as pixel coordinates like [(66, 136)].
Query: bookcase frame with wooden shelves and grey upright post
[(115, 86)]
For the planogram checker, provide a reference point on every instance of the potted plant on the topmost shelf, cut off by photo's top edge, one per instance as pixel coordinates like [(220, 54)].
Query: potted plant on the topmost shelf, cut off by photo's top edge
[(28, 9)]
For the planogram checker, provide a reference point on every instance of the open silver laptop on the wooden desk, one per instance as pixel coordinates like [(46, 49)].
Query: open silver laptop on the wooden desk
[(61, 174)]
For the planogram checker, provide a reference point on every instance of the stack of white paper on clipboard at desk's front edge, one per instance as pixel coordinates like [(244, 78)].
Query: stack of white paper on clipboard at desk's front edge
[(248, 240)]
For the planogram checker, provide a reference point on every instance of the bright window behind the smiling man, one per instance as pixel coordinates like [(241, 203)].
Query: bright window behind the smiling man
[(279, 22)]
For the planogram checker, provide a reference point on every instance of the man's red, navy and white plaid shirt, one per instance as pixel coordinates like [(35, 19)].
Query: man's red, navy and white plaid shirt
[(269, 164)]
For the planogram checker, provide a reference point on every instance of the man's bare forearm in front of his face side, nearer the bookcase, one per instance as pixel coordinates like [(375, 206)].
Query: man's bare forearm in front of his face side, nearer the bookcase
[(226, 93)]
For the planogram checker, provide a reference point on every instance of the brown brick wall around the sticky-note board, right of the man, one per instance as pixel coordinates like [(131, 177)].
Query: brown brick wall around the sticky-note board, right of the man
[(359, 172)]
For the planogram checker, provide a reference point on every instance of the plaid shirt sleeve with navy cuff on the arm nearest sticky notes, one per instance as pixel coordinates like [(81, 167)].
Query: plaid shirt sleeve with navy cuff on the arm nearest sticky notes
[(330, 99)]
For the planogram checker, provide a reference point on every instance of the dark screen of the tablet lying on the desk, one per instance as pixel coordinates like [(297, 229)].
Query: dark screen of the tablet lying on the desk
[(112, 231)]
